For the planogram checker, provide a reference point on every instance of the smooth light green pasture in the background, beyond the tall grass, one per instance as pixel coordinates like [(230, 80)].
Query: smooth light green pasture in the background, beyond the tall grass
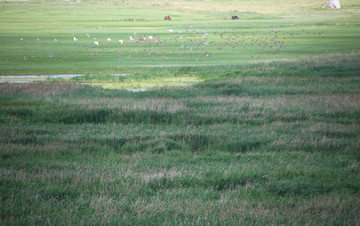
[(39, 38)]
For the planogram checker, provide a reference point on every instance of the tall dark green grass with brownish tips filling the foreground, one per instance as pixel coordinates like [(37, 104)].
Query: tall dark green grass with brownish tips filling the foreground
[(237, 149)]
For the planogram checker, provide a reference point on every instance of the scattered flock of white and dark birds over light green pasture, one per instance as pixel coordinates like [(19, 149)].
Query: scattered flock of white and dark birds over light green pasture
[(190, 43)]
